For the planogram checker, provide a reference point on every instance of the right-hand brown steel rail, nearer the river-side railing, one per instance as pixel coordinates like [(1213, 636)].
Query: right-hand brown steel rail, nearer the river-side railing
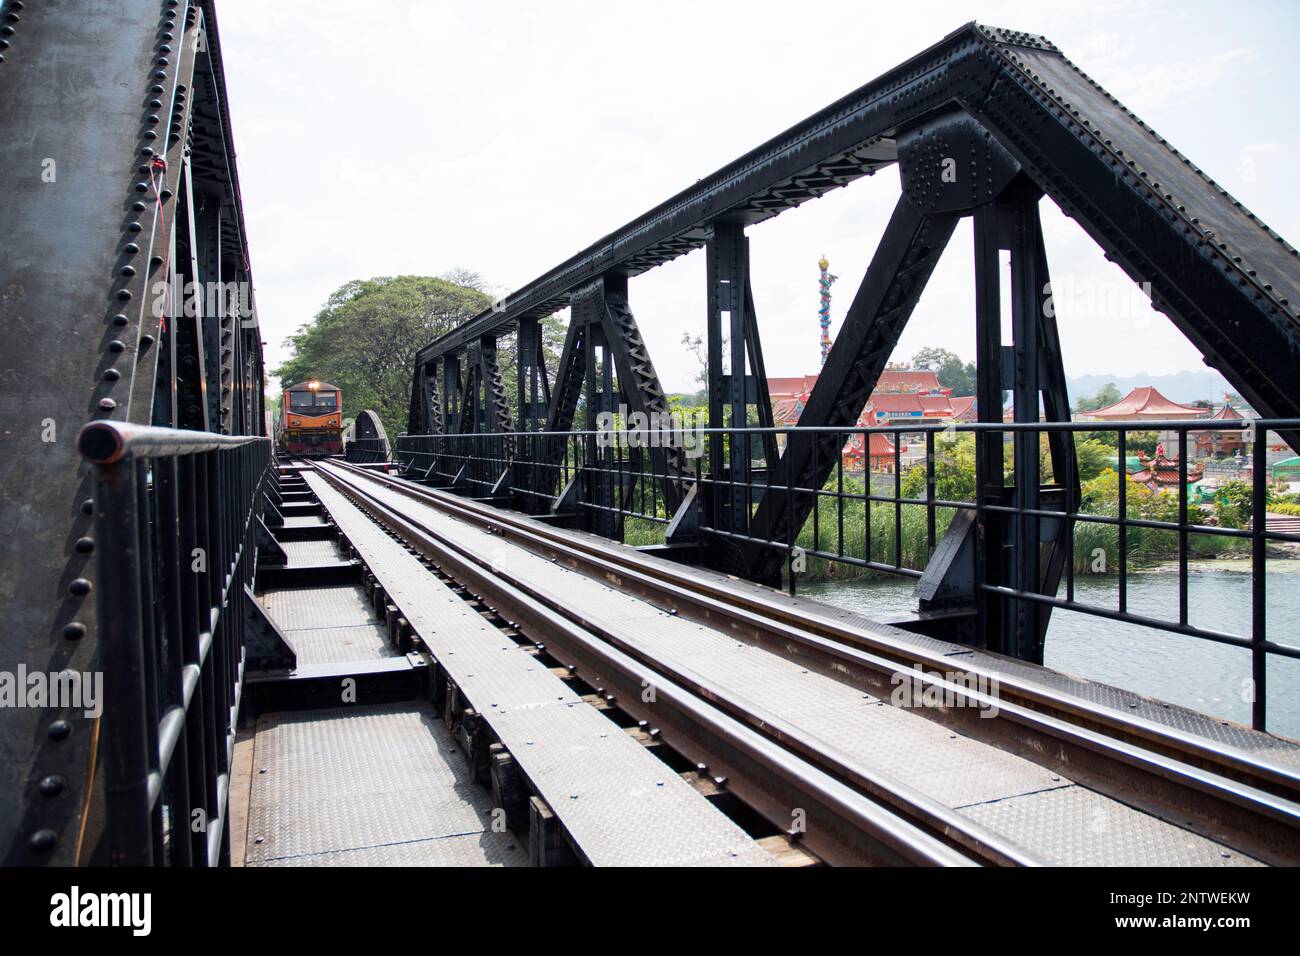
[(1233, 795)]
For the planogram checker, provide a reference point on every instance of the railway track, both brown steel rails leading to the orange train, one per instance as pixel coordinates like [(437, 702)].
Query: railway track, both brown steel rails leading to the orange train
[(1227, 795)]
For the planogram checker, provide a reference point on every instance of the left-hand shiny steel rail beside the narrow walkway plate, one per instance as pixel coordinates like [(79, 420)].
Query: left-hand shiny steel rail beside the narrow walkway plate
[(874, 808)]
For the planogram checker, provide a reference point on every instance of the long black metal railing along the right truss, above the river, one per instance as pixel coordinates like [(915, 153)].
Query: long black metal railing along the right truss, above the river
[(885, 511)]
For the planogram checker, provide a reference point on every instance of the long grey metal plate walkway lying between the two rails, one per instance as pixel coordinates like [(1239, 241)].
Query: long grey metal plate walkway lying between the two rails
[(960, 772)]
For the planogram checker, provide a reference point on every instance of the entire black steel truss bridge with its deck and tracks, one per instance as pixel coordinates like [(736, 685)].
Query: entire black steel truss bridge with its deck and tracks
[(469, 585)]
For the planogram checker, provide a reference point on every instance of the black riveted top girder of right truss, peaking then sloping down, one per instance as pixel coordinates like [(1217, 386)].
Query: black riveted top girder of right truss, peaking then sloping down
[(1229, 283)]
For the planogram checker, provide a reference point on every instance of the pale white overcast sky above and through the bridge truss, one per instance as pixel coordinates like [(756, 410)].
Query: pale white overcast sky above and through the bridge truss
[(417, 137)]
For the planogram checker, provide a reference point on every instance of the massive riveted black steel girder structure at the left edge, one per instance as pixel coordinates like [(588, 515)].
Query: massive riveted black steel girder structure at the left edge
[(90, 96)]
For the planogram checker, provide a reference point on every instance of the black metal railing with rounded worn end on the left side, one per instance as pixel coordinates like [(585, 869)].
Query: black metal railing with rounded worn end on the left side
[(175, 548)]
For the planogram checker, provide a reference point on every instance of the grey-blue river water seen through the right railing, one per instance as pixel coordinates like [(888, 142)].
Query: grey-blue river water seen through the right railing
[(1199, 674)]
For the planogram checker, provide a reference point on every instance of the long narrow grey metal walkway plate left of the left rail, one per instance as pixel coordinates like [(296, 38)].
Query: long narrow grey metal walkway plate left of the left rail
[(621, 804)]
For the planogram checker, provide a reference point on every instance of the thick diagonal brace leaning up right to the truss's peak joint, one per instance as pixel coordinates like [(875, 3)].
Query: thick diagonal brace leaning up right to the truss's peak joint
[(907, 257)]
